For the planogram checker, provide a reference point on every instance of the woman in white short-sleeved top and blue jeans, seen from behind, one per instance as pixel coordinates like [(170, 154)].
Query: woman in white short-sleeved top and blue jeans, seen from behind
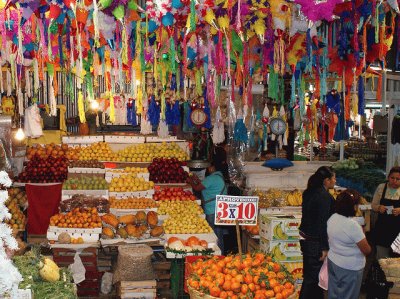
[(347, 248)]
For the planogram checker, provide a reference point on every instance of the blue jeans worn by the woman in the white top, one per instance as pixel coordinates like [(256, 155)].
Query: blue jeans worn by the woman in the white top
[(343, 283)]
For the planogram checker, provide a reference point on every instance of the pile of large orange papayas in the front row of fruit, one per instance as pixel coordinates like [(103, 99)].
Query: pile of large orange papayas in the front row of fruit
[(141, 225)]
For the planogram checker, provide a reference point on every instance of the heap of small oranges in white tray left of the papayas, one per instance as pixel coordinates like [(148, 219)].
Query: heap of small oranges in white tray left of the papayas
[(77, 218)]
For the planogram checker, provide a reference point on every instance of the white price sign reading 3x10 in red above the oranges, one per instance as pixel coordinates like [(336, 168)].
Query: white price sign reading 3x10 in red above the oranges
[(228, 209)]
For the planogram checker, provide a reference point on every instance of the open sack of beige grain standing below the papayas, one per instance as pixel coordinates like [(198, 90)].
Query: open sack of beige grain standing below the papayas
[(134, 263)]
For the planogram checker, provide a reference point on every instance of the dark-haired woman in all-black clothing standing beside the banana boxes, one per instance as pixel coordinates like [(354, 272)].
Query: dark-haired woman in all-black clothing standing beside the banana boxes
[(317, 207)]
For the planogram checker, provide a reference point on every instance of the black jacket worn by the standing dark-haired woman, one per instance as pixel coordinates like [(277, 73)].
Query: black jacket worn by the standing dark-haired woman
[(317, 207)]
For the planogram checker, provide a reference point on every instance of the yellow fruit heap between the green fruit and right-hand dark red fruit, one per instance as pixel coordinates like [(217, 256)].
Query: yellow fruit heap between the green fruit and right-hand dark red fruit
[(129, 183)]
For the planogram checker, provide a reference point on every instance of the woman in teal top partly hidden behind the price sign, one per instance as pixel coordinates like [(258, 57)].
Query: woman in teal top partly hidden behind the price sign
[(210, 187)]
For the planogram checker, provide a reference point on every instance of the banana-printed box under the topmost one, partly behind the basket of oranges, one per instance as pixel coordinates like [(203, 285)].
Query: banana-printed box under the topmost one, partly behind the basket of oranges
[(282, 251)]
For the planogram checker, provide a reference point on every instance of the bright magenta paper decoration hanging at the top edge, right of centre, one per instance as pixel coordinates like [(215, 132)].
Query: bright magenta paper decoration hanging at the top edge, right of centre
[(318, 9)]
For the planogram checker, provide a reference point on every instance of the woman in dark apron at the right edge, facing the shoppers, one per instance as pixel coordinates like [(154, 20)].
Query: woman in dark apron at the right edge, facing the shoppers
[(386, 203)]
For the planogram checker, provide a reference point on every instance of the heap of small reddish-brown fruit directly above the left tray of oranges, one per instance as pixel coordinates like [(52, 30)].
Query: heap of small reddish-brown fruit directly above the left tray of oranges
[(85, 201)]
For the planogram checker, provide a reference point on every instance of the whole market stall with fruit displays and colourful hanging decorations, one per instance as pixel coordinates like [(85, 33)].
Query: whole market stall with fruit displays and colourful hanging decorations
[(110, 108)]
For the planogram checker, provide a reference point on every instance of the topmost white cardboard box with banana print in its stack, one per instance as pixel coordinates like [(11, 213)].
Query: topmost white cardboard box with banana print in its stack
[(280, 227)]
